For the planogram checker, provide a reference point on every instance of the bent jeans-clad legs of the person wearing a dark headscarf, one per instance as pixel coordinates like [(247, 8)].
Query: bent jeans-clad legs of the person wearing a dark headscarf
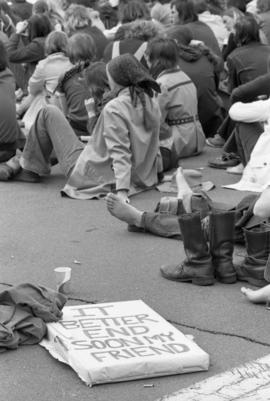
[(51, 132)]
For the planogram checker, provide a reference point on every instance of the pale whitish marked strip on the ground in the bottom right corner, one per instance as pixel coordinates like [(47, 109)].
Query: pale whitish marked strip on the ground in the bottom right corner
[(248, 382)]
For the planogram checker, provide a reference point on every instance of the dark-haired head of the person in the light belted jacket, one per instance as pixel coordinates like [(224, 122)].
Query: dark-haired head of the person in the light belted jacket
[(162, 54)]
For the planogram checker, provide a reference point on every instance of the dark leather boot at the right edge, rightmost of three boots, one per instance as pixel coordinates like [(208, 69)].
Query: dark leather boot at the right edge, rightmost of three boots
[(257, 247)]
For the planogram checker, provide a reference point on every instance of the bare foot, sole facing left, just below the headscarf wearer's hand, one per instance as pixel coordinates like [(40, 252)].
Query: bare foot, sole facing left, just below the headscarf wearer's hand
[(123, 211)]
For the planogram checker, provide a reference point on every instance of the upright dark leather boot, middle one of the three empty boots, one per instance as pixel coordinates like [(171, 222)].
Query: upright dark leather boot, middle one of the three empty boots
[(221, 238)]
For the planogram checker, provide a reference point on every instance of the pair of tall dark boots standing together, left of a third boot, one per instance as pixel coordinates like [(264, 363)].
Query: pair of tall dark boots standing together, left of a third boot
[(204, 263)]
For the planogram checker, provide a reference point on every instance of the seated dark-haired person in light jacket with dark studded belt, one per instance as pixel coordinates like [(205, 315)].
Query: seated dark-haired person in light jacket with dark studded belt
[(181, 132)]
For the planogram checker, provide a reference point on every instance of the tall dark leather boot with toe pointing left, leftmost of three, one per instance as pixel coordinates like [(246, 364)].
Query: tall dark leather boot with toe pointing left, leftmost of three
[(197, 267)]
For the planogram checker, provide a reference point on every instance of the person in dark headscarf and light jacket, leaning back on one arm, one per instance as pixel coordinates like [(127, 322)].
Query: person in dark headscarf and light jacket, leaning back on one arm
[(121, 155)]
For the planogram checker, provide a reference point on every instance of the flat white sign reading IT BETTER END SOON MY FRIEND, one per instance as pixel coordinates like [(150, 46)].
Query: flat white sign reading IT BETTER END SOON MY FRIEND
[(121, 341)]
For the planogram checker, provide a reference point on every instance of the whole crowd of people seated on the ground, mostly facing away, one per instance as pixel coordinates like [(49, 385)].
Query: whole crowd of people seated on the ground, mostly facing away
[(118, 92)]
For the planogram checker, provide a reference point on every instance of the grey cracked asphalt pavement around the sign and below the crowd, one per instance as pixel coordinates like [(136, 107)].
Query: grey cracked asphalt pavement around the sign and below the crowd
[(40, 230)]
